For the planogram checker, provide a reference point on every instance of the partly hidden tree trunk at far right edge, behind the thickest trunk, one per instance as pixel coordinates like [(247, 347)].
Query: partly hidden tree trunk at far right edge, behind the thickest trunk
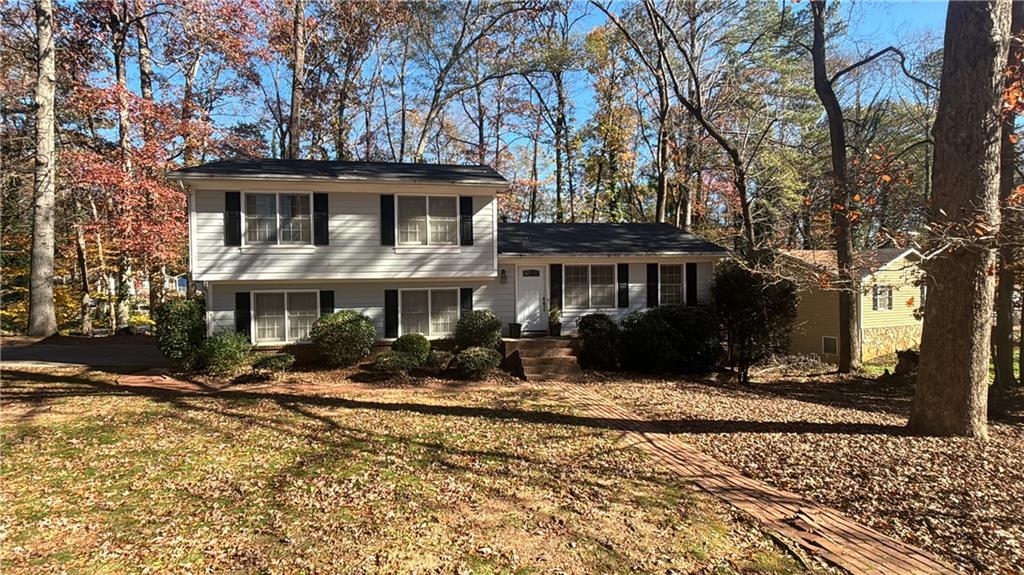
[(1004, 335)]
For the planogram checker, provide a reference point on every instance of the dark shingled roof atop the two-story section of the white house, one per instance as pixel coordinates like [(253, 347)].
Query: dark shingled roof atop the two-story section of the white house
[(385, 171)]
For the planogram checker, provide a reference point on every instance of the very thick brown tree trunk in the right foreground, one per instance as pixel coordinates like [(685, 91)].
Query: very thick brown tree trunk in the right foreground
[(951, 394)]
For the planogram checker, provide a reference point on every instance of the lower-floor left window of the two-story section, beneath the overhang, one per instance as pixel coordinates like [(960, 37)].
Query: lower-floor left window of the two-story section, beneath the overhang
[(285, 317)]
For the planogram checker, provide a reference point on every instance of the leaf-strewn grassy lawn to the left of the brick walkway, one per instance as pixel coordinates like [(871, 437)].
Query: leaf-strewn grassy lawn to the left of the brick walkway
[(357, 478)]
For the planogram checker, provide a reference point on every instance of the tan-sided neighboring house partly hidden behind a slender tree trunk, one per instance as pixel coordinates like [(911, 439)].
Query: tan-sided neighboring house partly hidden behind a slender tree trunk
[(891, 295)]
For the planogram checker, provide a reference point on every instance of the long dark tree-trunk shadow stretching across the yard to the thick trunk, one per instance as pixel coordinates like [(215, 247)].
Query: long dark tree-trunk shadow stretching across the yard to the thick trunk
[(301, 403)]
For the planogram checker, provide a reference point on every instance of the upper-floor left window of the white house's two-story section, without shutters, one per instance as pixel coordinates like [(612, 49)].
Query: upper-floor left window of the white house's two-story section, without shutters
[(278, 218)]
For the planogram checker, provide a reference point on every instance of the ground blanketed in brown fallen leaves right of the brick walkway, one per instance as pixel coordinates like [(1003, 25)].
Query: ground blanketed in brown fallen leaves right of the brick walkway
[(842, 443)]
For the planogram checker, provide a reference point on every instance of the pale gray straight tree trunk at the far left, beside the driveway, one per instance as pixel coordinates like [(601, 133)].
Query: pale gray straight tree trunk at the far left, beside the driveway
[(42, 319)]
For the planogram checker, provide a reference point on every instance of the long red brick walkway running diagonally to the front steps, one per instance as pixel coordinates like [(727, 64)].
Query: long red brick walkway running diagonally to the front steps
[(822, 532)]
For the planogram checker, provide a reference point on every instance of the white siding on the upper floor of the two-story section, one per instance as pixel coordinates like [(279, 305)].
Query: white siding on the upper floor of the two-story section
[(355, 250)]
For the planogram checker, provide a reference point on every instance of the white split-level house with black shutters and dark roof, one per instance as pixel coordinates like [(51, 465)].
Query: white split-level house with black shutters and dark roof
[(280, 243)]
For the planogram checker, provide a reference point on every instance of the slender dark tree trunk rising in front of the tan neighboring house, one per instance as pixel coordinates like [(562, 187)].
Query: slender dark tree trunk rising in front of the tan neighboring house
[(849, 325)]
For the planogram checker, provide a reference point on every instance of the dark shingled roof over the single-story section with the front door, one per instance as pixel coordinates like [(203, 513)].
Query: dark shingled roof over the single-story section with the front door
[(601, 239)]
